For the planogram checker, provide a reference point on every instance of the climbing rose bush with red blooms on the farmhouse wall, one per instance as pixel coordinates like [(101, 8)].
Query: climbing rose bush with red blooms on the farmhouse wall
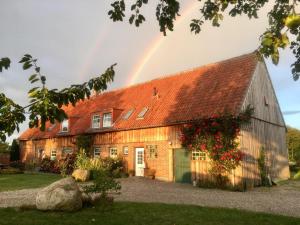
[(217, 137)]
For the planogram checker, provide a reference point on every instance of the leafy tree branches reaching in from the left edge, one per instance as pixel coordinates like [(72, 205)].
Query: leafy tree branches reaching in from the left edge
[(45, 104)]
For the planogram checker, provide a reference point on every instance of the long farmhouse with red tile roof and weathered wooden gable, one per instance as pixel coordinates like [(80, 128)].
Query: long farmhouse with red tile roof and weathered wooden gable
[(142, 123)]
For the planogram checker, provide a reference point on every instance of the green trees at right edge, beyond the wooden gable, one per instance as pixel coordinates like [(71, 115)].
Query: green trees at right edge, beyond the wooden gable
[(293, 142)]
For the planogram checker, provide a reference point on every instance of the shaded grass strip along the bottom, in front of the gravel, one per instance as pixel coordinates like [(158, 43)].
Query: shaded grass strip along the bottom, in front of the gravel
[(144, 213)]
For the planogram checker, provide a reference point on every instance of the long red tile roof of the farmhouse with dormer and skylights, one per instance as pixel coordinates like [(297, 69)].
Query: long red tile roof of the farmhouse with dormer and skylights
[(189, 95)]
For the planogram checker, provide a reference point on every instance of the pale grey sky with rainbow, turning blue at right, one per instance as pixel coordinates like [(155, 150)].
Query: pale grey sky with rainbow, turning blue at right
[(74, 40)]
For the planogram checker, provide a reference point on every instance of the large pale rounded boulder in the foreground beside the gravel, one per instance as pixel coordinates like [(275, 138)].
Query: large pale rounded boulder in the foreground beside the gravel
[(62, 195)]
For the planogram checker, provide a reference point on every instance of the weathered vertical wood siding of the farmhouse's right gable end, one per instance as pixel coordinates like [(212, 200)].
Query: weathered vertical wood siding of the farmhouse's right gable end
[(266, 131)]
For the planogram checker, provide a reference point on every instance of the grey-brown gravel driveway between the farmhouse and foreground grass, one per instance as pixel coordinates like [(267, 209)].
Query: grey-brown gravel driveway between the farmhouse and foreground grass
[(283, 199)]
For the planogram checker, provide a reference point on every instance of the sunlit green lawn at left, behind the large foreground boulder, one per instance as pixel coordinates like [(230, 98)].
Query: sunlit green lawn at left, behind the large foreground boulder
[(10, 182)]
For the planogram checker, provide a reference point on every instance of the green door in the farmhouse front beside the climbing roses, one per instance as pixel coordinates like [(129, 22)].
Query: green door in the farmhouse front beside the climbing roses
[(182, 166)]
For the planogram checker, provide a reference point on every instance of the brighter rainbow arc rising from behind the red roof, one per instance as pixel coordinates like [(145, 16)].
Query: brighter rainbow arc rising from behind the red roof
[(155, 44)]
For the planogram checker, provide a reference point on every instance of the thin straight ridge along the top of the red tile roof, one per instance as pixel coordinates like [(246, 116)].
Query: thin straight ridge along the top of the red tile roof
[(169, 75)]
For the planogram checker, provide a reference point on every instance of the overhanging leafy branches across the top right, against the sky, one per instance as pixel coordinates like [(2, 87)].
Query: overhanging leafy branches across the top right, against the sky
[(283, 30)]
